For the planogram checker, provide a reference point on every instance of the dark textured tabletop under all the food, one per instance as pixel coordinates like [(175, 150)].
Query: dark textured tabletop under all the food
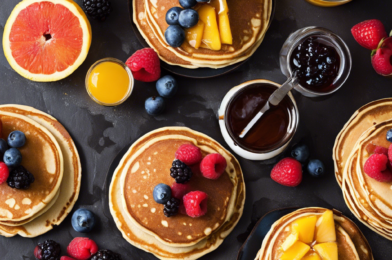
[(100, 132)]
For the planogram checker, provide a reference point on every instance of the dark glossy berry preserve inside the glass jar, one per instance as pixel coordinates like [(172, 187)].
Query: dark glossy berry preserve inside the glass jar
[(317, 63)]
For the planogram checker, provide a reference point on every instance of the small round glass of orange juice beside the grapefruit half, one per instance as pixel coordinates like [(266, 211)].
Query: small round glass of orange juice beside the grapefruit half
[(109, 82)]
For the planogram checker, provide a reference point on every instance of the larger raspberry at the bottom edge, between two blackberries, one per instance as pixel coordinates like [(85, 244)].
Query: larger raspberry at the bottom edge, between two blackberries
[(82, 248)]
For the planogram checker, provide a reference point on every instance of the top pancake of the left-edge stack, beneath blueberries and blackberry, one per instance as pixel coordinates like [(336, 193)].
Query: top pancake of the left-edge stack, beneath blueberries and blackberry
[(43, 158)]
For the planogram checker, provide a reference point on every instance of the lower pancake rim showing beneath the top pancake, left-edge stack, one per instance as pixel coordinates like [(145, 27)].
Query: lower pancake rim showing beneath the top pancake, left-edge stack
[(70, 185)]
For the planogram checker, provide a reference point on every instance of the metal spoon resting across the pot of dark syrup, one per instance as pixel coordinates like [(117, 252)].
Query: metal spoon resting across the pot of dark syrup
[(274, 100)]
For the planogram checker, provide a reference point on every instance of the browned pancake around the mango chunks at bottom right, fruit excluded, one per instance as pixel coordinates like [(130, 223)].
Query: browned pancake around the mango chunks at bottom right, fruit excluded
[(352, 245)]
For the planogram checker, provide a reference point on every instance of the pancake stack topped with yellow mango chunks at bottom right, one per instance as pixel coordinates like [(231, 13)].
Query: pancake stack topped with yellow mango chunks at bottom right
[(351, 244)]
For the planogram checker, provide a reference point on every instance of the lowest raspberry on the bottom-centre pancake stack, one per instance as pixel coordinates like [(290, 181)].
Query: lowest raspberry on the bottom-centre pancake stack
[(195, 203)]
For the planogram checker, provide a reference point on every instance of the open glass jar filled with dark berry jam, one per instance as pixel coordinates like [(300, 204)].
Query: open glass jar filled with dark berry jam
[(320, 59)]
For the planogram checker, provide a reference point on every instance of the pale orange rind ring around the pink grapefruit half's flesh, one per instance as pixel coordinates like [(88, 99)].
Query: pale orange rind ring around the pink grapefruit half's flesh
[(86, 28)]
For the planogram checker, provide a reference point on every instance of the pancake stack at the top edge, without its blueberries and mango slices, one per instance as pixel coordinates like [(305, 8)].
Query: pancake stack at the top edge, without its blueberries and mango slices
[(249, 21)]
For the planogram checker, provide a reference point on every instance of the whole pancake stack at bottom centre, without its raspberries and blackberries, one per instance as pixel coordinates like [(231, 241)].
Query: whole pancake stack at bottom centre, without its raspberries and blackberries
[(141, 220)]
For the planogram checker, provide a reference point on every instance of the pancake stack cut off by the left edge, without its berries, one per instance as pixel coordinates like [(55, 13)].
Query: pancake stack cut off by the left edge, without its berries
[(51, 156)]
